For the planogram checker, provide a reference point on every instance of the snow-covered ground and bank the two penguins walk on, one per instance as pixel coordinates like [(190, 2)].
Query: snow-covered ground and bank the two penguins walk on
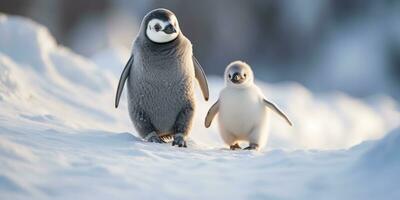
[(61, 138)]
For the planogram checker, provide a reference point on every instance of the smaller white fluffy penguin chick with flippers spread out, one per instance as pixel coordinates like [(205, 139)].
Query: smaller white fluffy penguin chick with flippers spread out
[(242, 109)]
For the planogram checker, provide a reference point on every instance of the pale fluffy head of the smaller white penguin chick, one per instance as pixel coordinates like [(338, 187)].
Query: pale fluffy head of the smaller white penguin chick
[(238, 74)]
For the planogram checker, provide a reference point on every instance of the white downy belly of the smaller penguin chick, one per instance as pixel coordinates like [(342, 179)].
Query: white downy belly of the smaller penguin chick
[(240, 111)]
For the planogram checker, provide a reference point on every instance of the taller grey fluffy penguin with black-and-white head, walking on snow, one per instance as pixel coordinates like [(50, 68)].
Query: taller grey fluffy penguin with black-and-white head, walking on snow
[(161, 74)]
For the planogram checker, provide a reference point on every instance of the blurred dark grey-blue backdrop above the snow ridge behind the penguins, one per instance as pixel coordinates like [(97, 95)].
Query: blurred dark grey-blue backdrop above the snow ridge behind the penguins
[(352, 46)]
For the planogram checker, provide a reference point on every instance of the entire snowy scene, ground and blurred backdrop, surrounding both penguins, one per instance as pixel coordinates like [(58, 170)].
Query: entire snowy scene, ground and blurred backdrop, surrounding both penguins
[(332, 66)]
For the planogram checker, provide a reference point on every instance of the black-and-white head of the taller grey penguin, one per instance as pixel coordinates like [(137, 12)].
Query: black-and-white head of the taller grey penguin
[(161, 26)]
